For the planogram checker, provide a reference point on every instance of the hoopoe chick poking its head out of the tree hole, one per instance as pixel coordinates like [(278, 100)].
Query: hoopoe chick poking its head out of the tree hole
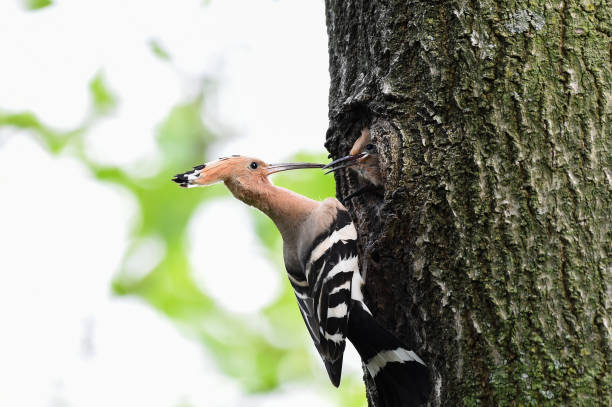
[(363, 158)]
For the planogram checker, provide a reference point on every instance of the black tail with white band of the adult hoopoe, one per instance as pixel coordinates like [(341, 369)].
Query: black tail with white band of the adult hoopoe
[(401, 377)]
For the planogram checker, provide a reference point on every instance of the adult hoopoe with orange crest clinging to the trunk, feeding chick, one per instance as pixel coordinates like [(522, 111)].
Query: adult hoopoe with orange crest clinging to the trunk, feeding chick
[(321, 259)]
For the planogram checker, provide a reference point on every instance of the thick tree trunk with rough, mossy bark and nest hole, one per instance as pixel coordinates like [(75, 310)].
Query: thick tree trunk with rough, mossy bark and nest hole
[(490, 252)]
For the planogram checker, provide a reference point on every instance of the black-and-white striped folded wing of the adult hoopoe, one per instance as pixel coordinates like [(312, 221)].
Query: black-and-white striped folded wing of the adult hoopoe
[(331, 267)]
